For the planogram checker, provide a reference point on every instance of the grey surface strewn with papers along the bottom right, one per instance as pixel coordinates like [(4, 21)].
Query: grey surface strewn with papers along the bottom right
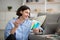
[(32, 36)]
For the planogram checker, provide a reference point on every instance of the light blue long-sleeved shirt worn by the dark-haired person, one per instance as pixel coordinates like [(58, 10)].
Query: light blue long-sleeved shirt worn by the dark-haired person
[(22, 31)]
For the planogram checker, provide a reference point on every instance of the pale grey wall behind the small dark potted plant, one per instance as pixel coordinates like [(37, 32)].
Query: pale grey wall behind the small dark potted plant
[(5, 3)]
